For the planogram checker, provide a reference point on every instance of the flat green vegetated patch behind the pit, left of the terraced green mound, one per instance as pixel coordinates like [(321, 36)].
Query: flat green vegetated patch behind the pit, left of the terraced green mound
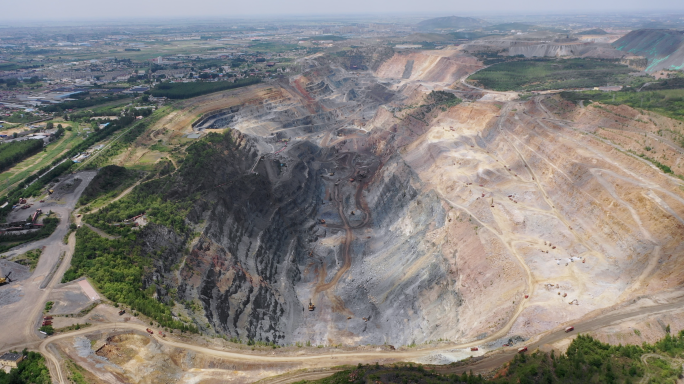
[(542, 74)]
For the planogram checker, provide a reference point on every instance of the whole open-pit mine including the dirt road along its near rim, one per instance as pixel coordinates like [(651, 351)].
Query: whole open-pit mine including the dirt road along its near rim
[(378, 200)]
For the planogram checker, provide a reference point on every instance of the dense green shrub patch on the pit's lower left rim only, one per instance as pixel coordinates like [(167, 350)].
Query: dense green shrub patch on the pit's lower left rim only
[(116, 268)]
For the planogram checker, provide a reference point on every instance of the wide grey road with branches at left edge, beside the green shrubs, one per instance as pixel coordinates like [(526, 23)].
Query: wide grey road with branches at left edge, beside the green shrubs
[(20, 319)]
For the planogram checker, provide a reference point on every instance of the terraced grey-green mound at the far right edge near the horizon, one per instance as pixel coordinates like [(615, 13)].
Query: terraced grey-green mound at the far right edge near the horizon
[(664, 48)]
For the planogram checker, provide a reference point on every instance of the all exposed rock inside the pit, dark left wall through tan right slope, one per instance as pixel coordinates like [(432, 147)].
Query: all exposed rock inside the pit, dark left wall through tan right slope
[(402, 221)]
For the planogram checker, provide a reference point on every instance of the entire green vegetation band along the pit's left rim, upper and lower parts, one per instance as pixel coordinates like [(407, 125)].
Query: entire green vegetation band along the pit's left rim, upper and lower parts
[(117, 267)]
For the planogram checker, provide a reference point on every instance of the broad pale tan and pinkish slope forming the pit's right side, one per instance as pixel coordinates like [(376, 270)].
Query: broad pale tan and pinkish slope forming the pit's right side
[(574, 191)]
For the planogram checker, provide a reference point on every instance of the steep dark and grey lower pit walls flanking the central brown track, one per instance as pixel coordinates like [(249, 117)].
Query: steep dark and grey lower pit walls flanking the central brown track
[(249, 267)]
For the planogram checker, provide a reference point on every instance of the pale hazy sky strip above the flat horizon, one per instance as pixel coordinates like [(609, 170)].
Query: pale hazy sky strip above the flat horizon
[(15, 10)]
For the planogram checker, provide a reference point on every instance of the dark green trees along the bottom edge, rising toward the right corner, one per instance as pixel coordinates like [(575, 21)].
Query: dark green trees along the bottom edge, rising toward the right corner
[(586, 361)]
